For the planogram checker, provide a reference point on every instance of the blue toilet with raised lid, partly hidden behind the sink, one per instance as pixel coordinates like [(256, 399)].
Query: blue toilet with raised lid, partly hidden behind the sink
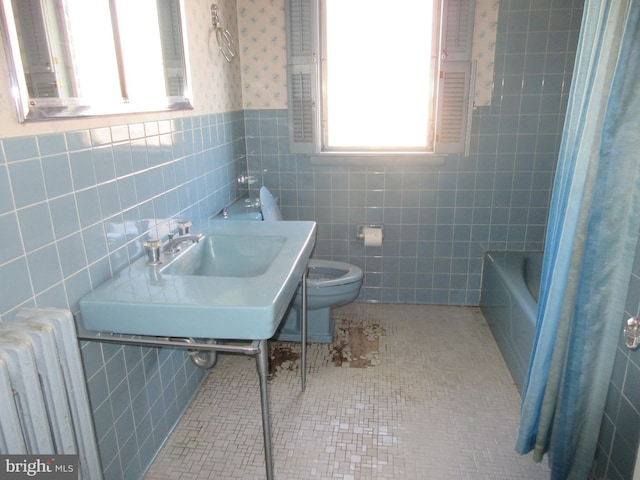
[(329, 284)]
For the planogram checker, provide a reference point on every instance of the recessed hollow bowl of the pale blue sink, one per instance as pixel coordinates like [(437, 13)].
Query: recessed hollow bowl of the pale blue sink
[(220, 255)]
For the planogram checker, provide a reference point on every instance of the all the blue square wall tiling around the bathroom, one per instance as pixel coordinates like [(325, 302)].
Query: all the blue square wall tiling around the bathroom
[(75, 207)]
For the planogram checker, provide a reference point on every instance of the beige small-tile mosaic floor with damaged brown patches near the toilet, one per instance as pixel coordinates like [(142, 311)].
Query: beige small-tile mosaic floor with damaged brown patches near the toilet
[(404, 392)]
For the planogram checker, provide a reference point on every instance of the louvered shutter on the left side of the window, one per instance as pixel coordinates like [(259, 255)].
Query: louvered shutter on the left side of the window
[(302, 72)]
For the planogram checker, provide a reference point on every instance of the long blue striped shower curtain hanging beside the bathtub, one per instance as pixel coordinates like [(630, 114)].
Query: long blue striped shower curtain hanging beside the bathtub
[(591, 239)]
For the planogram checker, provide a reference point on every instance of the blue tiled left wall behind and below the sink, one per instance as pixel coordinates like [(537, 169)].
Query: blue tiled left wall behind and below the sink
[(75, 208)]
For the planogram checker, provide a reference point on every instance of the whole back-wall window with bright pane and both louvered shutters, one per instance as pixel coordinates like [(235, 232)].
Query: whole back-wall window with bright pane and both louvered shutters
[(374, 77)]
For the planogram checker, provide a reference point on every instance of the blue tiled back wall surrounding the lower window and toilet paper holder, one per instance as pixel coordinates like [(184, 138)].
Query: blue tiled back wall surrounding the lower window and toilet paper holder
[(439, 221)]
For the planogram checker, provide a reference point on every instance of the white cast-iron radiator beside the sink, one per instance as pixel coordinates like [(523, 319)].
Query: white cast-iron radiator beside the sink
[(45, 406)]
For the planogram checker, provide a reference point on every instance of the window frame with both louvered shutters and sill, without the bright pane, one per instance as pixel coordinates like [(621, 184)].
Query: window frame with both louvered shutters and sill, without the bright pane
[(452, 104)]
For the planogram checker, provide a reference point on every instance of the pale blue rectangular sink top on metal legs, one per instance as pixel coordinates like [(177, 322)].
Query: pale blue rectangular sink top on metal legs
[(236, 283)]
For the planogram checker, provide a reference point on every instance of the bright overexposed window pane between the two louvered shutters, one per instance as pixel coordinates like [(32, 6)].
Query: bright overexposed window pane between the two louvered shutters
[(378, 73)]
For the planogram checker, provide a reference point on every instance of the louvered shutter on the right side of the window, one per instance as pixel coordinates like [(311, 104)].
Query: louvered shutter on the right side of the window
[(454, 80)]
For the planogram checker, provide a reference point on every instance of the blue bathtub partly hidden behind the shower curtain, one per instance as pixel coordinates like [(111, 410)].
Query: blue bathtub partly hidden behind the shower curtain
[(509, 302)]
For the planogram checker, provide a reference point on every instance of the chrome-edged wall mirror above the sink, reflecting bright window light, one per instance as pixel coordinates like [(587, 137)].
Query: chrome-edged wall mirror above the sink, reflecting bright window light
[(76, 58)]
